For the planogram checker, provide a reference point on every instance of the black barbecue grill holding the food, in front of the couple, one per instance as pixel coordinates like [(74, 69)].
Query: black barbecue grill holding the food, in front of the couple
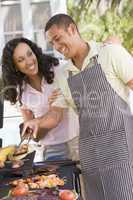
[(65, 169)]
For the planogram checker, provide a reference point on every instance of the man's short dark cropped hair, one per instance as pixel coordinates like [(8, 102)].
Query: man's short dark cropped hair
[(60, 20)]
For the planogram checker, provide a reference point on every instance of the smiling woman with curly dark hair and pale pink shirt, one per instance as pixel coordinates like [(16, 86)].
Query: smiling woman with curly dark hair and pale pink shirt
[(28, 77)]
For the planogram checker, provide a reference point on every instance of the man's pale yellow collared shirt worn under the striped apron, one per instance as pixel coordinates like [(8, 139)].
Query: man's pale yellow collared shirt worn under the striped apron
[(116, 63)]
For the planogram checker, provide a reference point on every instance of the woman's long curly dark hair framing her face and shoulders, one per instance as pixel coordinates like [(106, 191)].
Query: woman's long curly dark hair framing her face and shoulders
[(13, 79)]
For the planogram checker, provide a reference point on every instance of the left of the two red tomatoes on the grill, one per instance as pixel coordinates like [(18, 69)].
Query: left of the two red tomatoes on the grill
[(19, 190)]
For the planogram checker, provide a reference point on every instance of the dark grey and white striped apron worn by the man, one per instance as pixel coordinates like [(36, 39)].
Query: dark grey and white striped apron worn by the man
[(106, 136)]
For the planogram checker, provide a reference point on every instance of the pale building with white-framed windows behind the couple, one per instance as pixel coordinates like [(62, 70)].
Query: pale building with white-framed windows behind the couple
[(27, 18)]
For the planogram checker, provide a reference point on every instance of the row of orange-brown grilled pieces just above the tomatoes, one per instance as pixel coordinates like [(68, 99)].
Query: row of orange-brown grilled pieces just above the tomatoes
[(40, 181)]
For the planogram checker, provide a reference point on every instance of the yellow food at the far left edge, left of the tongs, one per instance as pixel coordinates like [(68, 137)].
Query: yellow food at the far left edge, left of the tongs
[(4, 152)]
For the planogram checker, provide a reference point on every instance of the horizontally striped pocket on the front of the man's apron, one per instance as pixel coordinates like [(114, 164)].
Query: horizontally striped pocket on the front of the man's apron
[(103, 149)]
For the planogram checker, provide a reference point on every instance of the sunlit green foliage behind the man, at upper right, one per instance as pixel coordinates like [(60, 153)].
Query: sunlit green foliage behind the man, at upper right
[(92, 25)]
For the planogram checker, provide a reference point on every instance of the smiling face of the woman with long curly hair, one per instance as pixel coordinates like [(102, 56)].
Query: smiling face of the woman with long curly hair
[(25, 60)]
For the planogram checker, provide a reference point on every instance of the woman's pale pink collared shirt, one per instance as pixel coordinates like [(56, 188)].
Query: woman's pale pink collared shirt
[(37, 102)]
